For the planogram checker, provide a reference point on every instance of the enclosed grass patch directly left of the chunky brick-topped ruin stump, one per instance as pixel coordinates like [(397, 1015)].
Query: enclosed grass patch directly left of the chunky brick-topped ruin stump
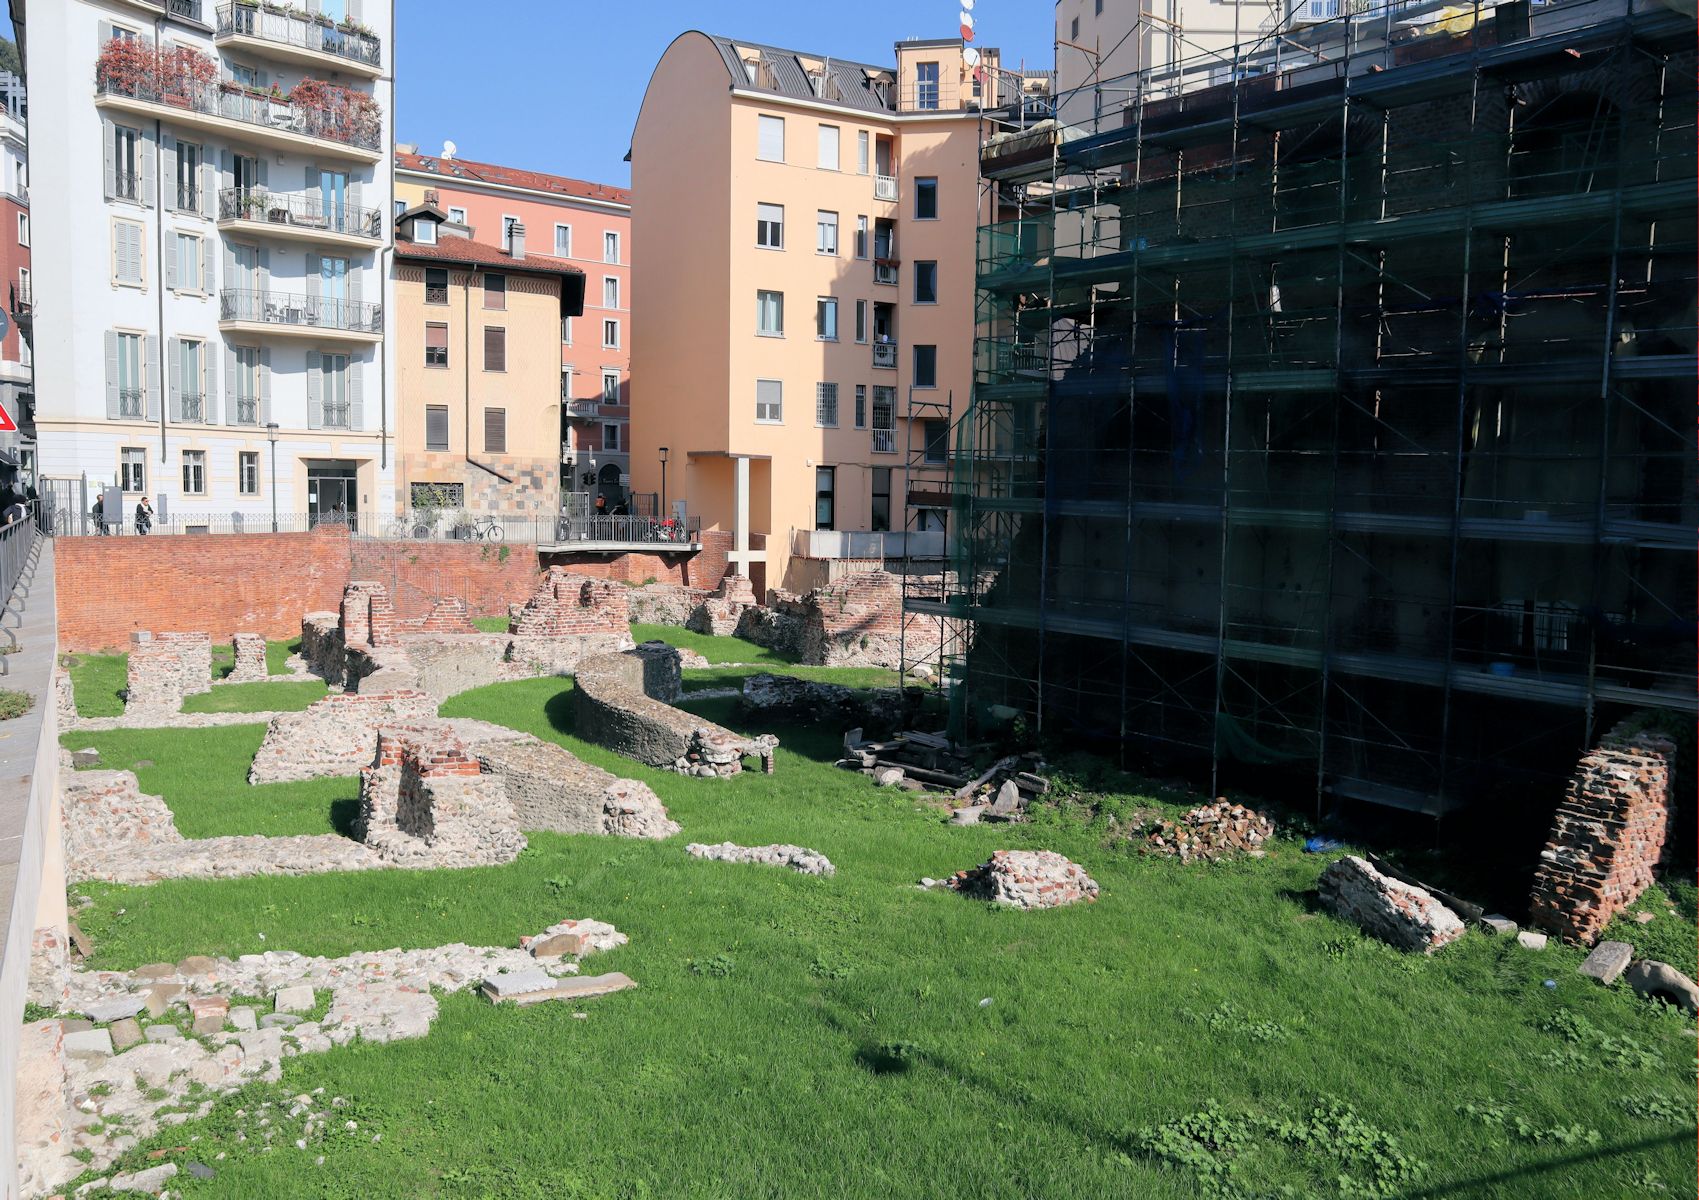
[(203, 774)]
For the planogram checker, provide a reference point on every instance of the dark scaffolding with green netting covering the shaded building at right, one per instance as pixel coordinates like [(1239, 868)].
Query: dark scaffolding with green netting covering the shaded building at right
[(1333, 414)]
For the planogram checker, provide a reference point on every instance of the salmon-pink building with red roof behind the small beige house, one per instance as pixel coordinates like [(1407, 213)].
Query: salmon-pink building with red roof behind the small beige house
[(587, 225)]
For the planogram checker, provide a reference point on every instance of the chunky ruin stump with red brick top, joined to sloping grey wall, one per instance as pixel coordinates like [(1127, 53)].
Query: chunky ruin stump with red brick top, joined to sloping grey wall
[(426, 801)]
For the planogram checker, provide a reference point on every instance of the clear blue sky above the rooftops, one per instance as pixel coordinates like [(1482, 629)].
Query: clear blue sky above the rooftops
[(555, 84)]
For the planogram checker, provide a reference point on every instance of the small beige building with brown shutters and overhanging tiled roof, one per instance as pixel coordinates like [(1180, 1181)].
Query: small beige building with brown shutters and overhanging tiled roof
[(478, 342)]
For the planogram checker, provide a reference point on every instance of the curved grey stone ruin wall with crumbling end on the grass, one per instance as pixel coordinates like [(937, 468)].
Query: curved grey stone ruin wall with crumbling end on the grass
[(626, 703)]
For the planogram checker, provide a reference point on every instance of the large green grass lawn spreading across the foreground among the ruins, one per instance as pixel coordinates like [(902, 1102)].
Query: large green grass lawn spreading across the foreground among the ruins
[(859, 1038)]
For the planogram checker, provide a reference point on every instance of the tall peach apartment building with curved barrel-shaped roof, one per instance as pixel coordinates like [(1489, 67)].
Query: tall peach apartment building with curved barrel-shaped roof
[(806, 290)]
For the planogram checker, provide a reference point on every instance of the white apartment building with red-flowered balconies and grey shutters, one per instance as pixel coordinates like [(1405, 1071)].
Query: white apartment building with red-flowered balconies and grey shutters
[(212, 244)]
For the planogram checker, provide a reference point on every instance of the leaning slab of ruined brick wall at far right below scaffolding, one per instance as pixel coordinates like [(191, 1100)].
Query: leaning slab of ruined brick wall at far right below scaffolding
[(1608, 835)]
